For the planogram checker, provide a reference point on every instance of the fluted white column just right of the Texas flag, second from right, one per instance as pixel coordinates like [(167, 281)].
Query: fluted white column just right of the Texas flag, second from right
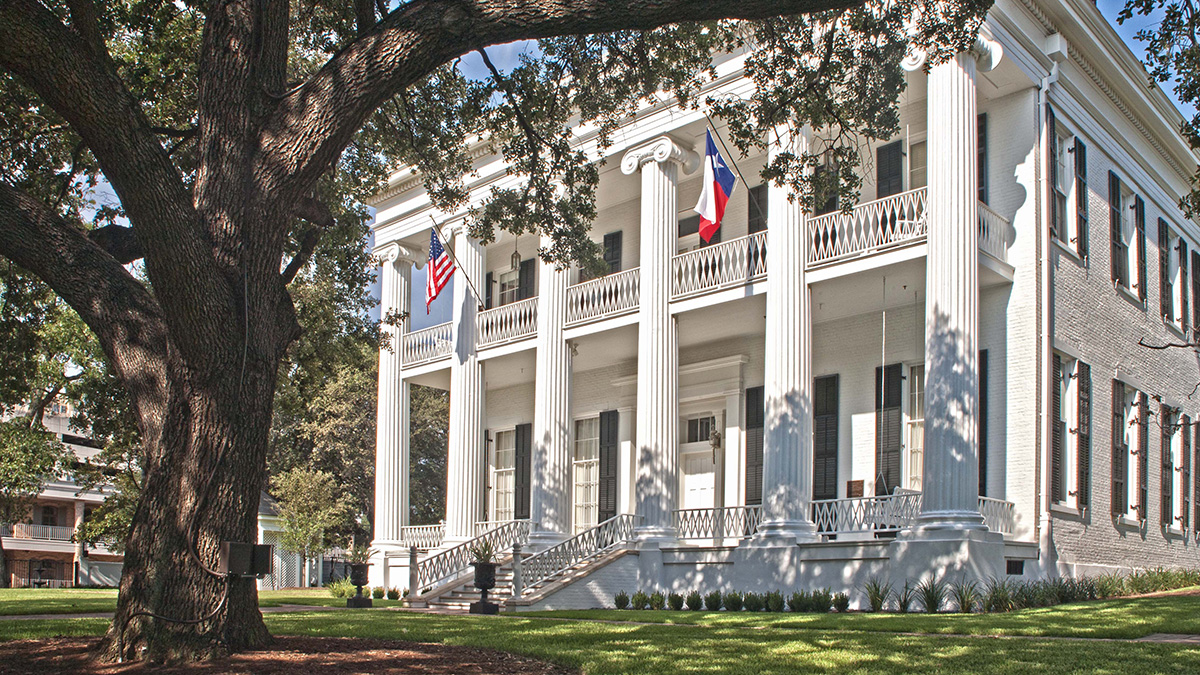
[(788, 435)]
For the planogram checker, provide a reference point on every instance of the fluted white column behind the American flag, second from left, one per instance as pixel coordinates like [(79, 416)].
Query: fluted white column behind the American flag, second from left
[(466, 463)]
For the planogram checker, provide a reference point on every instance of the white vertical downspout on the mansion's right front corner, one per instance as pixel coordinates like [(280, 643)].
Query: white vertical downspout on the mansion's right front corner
[(1046, 344)]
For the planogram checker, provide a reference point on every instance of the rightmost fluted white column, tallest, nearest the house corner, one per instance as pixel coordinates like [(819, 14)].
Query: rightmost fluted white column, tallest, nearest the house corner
[(951, 480)]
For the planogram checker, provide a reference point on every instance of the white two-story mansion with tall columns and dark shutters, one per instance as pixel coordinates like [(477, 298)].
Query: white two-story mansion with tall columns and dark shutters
[(947, 381)]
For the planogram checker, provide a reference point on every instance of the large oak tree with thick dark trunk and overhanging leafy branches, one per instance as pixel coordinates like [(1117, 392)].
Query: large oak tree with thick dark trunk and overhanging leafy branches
[(232, 133)]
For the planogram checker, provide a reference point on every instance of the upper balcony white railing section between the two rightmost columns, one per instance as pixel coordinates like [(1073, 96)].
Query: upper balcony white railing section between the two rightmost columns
[(871, 228)]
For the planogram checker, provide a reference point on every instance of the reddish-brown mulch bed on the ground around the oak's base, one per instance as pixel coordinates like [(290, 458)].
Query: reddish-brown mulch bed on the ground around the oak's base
[(291, 655)]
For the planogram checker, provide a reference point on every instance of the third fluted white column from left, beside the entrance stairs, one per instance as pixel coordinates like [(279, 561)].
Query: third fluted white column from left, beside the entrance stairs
[(551, 463)]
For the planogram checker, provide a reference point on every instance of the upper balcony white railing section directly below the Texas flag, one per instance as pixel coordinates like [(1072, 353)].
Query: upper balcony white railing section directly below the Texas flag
[(721, 266)]
